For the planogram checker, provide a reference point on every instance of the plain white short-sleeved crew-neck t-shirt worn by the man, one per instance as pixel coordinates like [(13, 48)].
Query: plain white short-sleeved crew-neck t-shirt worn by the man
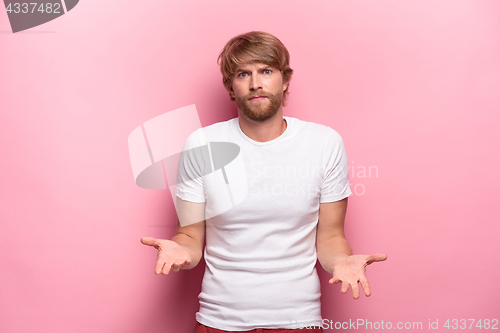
[(260, 255)]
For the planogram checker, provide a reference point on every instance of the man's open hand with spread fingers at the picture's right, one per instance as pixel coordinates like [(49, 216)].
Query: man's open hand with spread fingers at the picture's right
[(351, 270)]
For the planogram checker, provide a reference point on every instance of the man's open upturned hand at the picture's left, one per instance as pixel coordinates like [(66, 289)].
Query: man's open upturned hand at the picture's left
[(171, 256)]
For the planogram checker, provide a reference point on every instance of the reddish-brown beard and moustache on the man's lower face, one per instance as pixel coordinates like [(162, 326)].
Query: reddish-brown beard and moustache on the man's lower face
[(261, 110)]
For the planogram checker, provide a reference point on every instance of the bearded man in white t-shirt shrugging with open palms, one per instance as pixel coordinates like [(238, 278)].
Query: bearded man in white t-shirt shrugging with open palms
[(261, 253)]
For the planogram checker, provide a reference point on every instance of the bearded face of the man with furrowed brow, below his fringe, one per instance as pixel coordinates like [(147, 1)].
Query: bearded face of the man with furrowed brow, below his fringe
[(258, 90)]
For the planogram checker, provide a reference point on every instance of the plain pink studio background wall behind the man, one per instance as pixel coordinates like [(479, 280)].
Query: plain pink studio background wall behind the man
[(412, 87)]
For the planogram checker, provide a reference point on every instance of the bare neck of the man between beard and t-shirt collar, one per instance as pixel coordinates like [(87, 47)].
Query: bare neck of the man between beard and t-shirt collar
[(263, 131)]
